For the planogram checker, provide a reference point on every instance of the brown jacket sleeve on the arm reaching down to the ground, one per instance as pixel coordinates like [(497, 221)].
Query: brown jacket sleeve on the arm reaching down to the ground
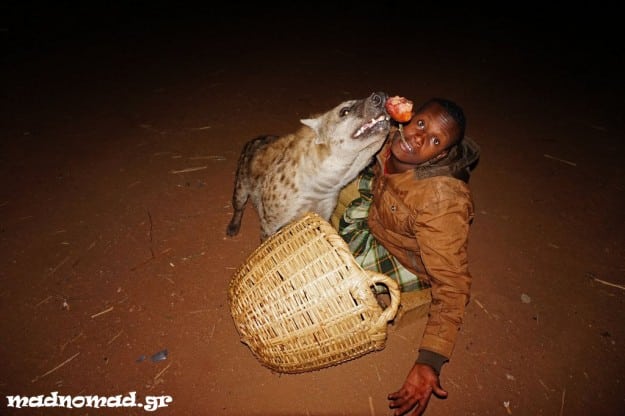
[(442, 230)]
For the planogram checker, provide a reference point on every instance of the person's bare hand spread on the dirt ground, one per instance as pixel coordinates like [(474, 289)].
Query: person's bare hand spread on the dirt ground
[(417, 390)]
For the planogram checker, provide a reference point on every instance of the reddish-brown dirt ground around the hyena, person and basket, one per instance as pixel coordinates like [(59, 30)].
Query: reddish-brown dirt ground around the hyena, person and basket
[(120, 136)]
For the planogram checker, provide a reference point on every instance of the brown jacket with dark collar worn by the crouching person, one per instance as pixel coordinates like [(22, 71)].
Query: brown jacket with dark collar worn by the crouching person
[(424, 222)]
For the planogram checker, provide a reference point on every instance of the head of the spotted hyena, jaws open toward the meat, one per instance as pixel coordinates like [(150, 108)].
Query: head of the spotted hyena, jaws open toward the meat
[(354, 124)]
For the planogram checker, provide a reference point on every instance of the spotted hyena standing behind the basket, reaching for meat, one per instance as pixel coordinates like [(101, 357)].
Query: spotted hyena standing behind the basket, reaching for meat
[(288, 176)]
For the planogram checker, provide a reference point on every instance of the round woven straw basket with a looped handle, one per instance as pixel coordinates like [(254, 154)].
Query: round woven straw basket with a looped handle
[(301, 302)]
